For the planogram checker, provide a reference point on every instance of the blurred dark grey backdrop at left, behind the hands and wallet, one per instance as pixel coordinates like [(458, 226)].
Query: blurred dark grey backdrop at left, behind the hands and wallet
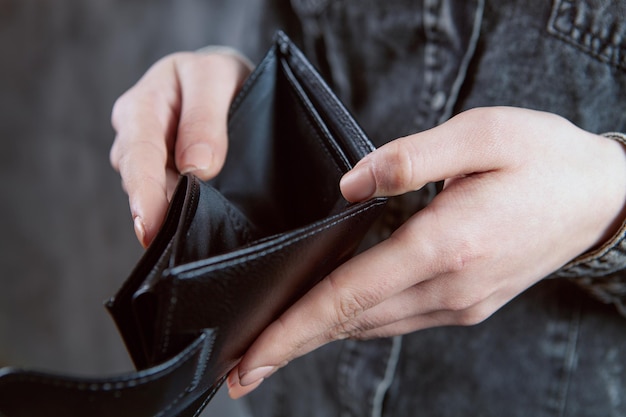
[(66, 236)]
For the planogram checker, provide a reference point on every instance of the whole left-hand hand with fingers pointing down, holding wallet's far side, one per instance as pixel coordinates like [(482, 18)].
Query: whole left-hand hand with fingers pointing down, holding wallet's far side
[(173, 121)]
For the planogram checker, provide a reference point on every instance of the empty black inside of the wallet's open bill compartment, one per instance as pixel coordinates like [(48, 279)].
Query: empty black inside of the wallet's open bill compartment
[(282, 171)]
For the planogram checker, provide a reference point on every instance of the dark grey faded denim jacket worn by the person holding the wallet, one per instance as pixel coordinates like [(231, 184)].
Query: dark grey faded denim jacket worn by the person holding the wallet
[(403, 66)]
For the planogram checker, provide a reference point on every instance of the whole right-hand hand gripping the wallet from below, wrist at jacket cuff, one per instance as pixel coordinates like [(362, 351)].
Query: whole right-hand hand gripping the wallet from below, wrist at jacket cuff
[(525, 192)]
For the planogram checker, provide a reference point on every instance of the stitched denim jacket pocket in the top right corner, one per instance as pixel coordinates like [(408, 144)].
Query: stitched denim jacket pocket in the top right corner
[(598, 27)]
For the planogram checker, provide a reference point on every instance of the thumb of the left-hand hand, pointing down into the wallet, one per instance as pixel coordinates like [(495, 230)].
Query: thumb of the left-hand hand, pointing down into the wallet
[(208, 85)]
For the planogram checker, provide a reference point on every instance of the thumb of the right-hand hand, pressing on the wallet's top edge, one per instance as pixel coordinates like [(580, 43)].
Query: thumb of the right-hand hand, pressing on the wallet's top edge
[(446, 151)]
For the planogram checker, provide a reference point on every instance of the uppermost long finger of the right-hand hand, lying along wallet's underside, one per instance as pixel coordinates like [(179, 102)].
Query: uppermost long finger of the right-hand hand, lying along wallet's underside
[(353, 288)]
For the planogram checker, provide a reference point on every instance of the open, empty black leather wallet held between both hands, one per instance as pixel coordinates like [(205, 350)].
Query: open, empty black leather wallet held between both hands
[(232, 254)]
